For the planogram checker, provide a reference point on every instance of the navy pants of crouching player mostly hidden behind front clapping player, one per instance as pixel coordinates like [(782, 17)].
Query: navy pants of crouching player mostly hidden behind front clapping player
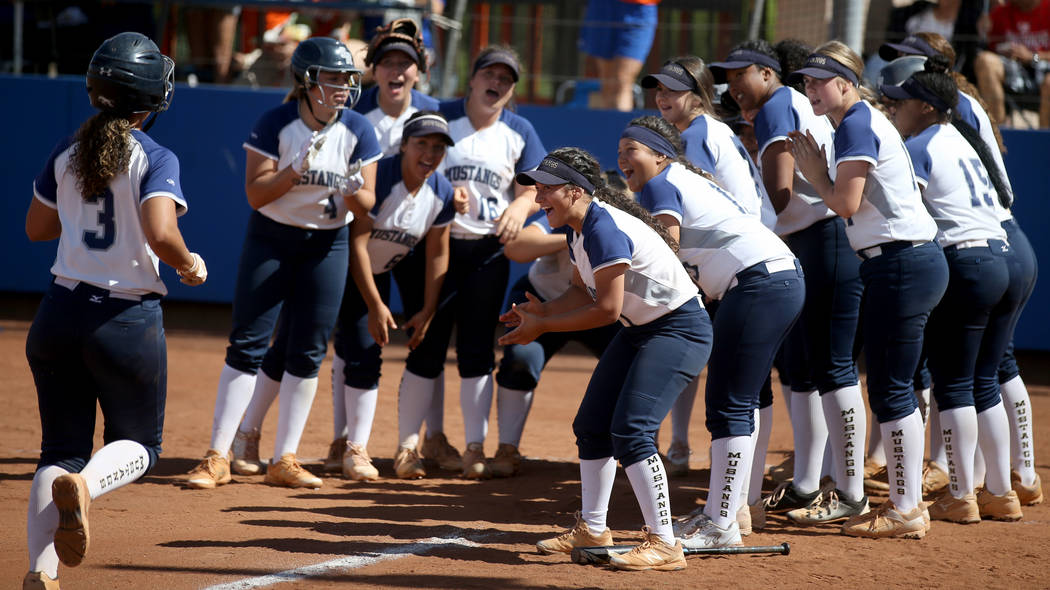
[(522, 365)]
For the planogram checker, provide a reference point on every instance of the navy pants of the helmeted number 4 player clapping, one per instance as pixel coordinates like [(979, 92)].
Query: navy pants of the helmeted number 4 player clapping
[(297, 272)]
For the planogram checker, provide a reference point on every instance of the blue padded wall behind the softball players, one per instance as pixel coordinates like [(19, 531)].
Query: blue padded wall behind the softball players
[(206, 128)]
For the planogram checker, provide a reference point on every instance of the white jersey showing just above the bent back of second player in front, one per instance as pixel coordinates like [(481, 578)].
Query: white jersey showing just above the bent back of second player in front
[(715, 149)]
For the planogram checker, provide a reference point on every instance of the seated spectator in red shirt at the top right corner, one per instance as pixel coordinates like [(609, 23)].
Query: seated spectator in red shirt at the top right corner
[(1017, 64)]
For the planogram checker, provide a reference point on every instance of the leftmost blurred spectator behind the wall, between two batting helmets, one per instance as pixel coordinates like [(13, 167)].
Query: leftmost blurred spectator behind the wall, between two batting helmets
[(212, 33)]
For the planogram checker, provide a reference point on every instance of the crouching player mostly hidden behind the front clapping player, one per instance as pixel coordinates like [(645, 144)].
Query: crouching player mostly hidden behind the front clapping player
[(549, 278)]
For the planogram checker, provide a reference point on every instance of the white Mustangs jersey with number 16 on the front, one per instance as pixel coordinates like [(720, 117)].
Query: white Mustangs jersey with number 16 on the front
[(486, 162)]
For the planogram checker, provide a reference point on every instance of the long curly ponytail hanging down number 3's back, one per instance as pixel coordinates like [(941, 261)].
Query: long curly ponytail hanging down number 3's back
[(103, 151)]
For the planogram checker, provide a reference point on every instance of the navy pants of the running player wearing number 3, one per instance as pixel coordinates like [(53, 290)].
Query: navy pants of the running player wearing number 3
[(87, 348)]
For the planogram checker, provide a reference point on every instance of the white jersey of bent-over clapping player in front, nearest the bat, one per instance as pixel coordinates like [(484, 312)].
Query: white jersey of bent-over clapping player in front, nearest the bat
[(655, 285)]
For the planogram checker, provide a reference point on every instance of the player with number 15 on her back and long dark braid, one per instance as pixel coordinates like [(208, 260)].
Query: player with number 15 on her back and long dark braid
[(959, 191)]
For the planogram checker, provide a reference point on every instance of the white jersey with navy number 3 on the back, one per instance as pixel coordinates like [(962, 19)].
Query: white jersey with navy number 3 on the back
[(102, 241)]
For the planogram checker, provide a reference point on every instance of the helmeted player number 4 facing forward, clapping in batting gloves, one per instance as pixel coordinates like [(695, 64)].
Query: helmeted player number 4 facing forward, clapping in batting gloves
[(310, 170)]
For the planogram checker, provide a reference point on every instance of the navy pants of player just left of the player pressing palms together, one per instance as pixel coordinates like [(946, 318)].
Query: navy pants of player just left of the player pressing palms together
[(820, 348)]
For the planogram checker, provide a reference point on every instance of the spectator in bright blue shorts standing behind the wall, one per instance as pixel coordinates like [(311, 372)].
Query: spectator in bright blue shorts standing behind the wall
[(617, 36)]
